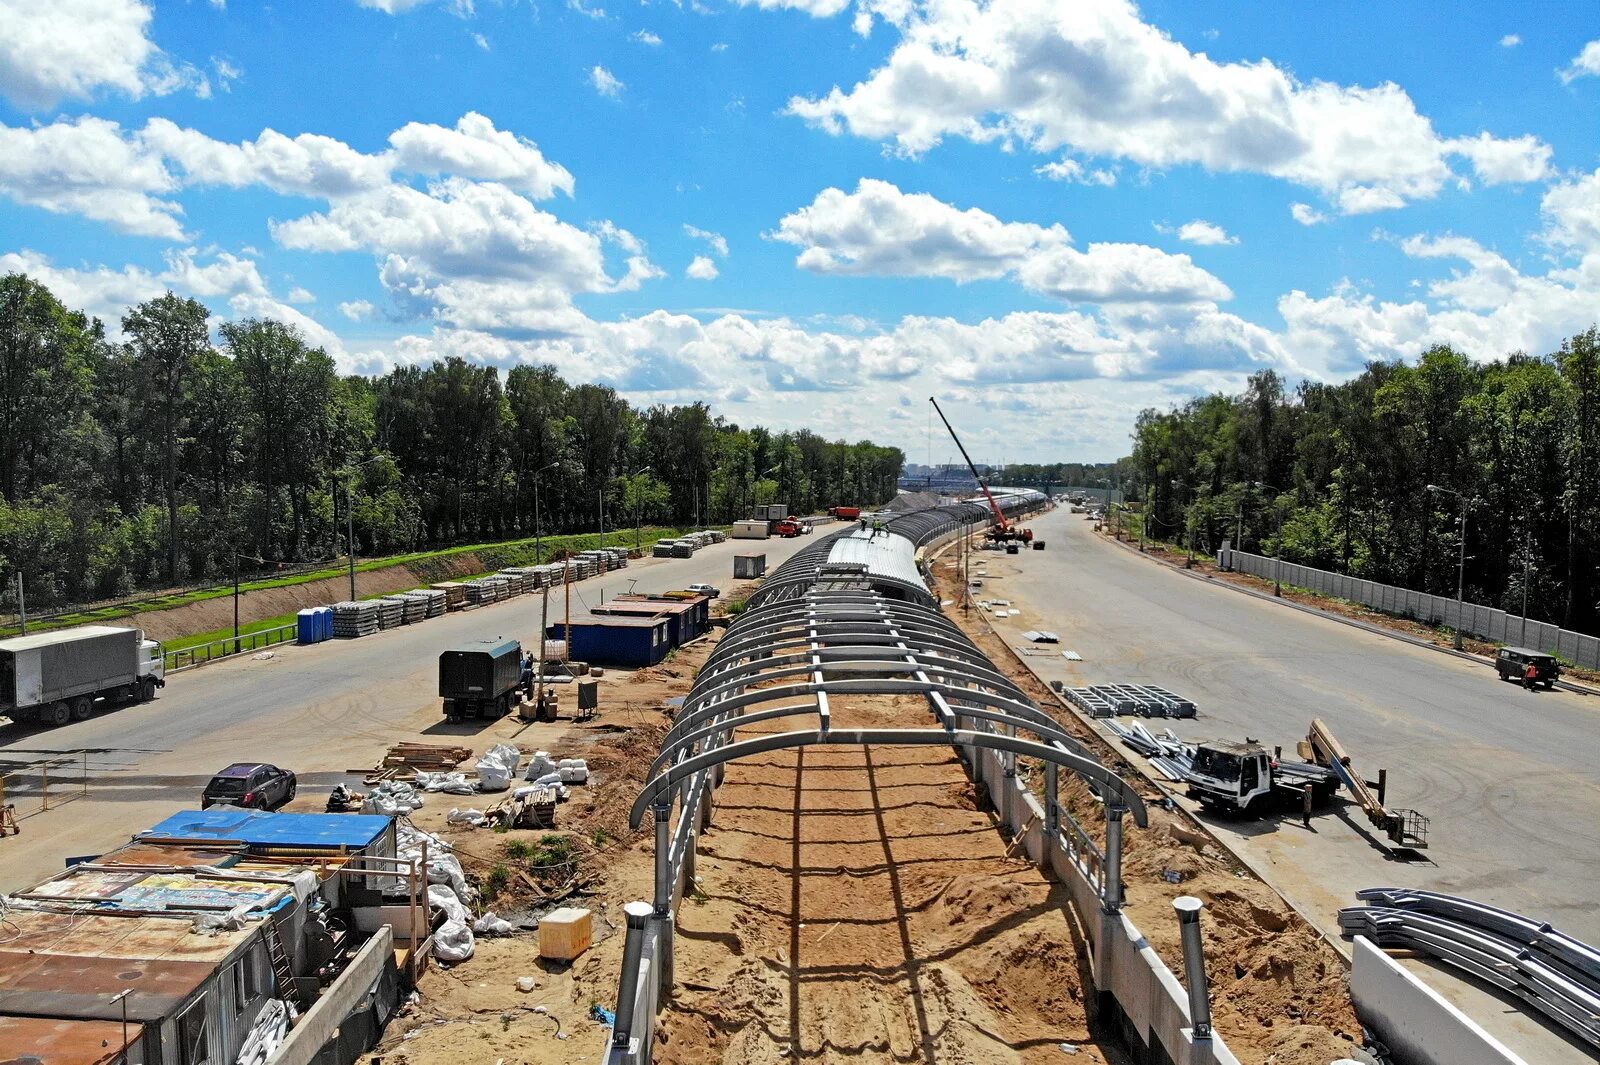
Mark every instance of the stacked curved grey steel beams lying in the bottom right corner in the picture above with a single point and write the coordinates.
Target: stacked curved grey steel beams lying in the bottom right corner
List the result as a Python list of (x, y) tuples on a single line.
[(1551, 971)]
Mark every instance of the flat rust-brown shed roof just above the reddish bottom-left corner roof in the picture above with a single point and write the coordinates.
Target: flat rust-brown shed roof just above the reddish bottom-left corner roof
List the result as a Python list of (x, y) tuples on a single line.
[(66, 986)]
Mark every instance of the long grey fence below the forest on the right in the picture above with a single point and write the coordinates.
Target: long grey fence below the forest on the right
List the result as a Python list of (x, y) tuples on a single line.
[(1434, 610)]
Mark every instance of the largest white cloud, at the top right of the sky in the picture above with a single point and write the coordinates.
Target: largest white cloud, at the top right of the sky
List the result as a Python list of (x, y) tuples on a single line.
[(1095, 78)]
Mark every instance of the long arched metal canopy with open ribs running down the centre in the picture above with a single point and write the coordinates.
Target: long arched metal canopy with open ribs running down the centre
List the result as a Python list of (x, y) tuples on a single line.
[(842, 628)]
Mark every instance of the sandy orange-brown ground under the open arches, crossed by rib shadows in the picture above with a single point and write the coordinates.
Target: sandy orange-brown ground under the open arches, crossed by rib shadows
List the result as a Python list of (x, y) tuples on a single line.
[(857, 904)]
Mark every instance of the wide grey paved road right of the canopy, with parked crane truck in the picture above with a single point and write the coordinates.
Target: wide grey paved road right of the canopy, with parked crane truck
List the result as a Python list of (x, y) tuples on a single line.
[(1510, 778)]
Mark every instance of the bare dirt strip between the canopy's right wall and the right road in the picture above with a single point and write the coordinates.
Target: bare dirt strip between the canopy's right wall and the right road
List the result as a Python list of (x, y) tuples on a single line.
[(1279, 992)]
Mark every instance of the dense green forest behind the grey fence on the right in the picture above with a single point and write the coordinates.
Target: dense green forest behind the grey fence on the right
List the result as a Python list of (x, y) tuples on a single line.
[(1338, 476)]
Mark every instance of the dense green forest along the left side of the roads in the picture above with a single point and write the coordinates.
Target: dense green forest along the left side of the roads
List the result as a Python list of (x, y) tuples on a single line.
[(156, 460)]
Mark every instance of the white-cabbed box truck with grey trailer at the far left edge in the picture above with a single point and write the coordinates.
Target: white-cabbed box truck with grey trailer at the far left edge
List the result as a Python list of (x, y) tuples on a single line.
[(58, 677)]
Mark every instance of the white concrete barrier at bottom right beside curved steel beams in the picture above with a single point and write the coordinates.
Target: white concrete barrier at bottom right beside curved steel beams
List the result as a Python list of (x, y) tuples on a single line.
[(1414, 1019)]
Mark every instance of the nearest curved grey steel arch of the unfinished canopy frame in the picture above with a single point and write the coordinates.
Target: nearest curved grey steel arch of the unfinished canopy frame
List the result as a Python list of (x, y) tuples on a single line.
[(665, 784)]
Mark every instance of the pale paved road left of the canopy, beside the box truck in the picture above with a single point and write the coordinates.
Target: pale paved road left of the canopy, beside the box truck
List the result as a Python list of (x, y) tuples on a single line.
[(318, 711)]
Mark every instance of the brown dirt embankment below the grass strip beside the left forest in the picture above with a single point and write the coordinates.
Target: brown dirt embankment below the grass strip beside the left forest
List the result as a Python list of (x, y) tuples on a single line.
[(214, 615)]
